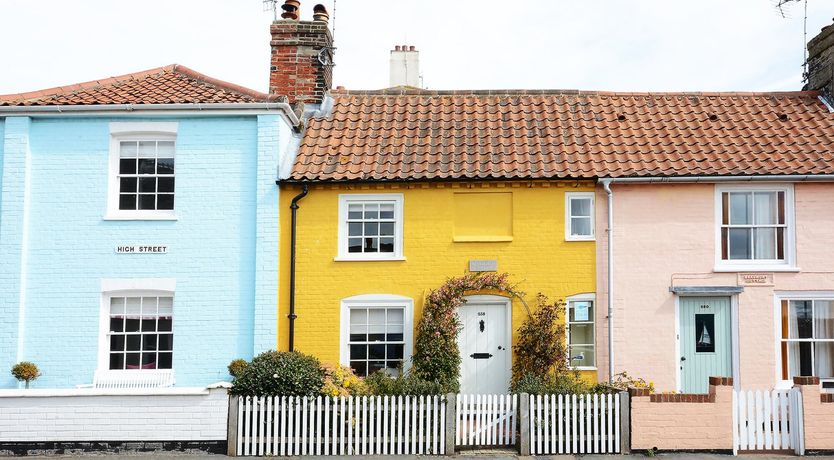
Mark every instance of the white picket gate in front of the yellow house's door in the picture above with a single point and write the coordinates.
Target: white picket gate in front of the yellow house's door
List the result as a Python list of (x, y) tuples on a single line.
[(485, 420)]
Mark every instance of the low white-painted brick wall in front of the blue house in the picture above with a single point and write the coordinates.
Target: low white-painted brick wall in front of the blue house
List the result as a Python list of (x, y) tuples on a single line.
[(112, 415)]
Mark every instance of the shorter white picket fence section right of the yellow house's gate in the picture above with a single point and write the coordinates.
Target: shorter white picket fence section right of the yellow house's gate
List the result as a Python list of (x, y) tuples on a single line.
[(574, 424)]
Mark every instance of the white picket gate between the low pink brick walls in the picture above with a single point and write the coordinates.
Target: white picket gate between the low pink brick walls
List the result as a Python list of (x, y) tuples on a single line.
[(768, 420)]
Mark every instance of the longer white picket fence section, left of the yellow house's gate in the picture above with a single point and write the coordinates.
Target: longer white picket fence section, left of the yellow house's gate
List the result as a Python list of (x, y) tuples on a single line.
[(355, 425)]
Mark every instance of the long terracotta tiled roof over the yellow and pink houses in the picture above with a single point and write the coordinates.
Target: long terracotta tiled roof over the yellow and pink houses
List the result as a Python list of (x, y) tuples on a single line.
[(419, 135)]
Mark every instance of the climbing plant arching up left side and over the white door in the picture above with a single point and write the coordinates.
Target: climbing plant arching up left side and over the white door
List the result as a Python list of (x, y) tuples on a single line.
[(436, 354)]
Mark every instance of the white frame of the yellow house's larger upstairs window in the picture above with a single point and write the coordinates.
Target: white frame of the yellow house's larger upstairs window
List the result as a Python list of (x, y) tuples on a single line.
[(352, 198)]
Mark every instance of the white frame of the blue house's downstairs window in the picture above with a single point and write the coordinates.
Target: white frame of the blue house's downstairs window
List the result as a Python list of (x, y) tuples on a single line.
[(136, 287)]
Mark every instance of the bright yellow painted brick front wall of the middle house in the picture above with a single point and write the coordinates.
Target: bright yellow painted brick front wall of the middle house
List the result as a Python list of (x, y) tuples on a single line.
[(538, 257)]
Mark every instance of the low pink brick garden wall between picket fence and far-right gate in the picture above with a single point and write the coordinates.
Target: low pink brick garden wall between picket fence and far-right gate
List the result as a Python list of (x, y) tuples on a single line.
[(684, 422)]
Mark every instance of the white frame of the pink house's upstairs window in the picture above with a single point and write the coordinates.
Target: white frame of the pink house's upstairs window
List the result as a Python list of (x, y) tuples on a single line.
[(753, 265)]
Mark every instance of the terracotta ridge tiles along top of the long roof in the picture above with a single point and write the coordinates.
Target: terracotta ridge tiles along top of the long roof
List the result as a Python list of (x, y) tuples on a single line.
[(411, 91)]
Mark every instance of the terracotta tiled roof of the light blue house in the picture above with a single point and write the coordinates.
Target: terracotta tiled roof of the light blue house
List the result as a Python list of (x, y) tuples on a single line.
[(173, 84)]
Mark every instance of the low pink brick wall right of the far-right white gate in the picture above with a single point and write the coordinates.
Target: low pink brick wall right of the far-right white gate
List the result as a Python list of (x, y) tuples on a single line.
[(818, 411)]
